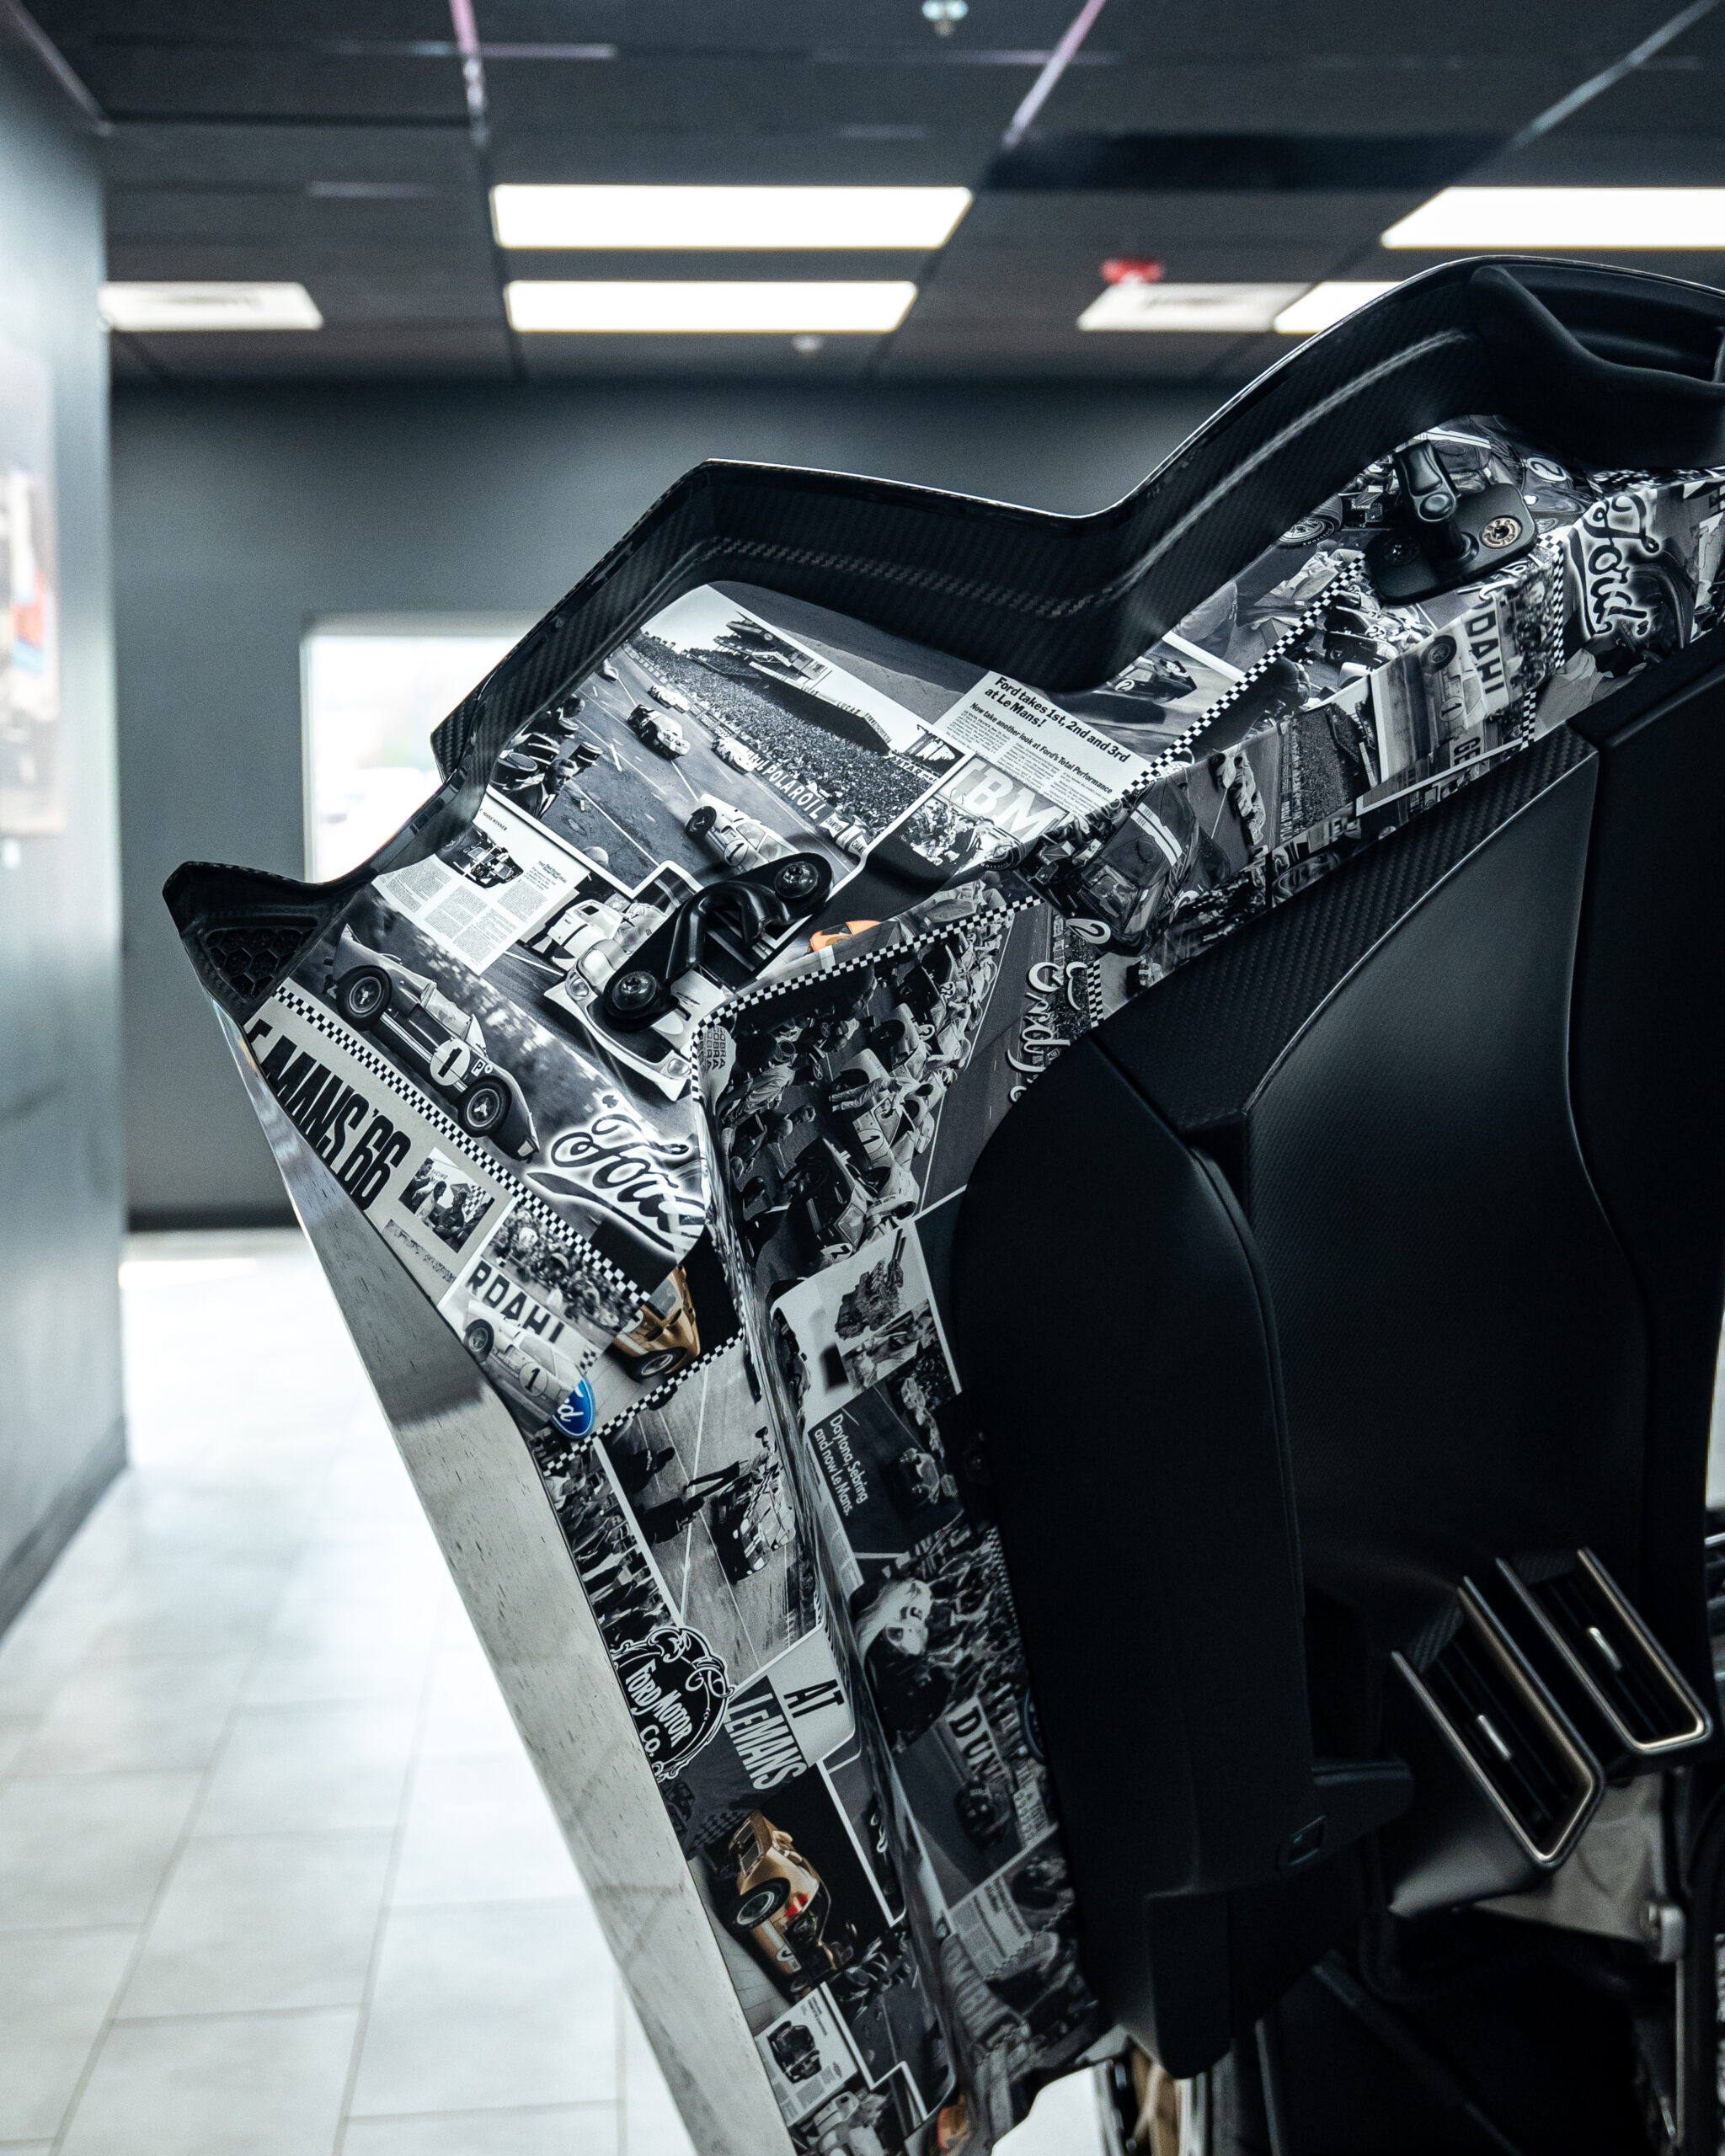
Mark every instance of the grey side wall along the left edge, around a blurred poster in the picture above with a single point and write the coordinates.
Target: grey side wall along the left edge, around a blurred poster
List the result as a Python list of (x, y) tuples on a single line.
[(61, 1174)]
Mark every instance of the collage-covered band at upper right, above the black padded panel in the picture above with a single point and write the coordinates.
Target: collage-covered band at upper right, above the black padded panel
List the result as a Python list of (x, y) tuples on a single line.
[(1349, 715)]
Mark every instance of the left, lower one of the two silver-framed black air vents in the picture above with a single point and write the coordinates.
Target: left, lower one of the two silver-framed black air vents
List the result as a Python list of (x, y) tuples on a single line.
[(1508, 1732)]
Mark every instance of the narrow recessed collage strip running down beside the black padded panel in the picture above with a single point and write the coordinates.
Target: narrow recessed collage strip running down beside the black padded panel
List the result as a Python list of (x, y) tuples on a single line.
[(846, 1111)]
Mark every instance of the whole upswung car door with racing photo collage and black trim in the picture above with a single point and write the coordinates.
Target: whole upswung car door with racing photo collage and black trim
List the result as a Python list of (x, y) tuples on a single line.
[(1368, 1252)]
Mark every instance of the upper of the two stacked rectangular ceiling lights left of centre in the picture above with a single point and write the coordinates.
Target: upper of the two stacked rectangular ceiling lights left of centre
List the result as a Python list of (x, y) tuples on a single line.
[(743, 219)]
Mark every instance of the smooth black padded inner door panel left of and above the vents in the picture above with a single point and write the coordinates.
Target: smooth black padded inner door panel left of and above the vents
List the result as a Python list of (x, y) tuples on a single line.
[(1463, 1101)]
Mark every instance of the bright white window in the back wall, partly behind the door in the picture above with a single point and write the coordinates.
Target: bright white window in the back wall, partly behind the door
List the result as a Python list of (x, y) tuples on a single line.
[(374, 689)]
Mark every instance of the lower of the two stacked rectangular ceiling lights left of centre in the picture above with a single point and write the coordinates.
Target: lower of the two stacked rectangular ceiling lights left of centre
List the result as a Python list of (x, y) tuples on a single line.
[(708, 309)]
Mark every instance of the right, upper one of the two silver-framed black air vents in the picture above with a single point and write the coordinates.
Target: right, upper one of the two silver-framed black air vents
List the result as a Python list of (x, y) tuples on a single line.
[(1614, 1657)]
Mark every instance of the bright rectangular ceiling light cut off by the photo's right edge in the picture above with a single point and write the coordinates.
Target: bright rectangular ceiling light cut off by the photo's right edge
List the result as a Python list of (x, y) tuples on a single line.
[(1605, 221)]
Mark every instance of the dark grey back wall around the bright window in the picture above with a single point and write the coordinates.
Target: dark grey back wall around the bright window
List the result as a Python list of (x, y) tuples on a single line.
[(243, 512)]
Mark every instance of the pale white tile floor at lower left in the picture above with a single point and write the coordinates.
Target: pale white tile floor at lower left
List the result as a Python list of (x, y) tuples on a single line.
[(275, 1872)]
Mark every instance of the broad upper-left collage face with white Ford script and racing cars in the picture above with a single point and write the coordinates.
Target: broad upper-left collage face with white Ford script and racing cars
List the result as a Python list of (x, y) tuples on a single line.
[(717, 794)]
